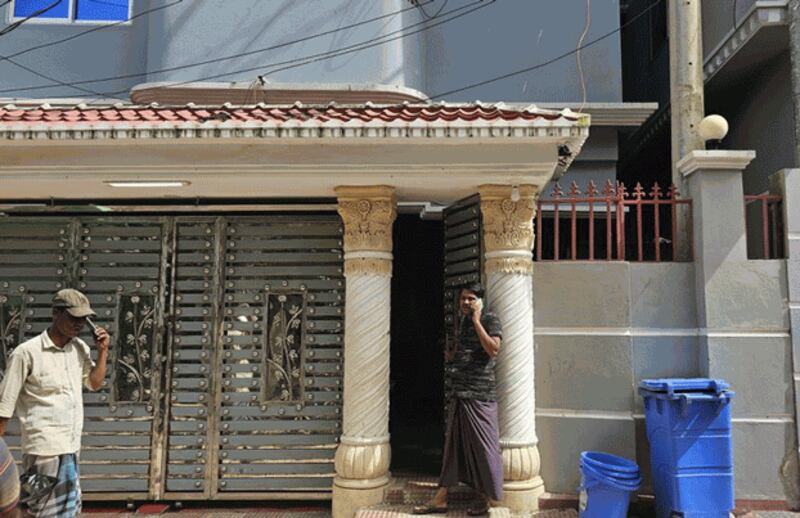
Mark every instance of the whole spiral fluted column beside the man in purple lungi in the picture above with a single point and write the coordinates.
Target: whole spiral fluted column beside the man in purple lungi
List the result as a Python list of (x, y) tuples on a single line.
[(508, 241)]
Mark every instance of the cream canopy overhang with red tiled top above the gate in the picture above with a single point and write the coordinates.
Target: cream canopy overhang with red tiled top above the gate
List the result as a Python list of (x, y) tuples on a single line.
[(428, 152)]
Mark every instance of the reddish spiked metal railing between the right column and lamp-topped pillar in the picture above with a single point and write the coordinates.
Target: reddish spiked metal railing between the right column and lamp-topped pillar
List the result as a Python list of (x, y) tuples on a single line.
[(611, 224)]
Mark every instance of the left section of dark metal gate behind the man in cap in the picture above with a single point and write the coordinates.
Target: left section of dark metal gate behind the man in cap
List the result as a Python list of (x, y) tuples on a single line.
[(120, 265)]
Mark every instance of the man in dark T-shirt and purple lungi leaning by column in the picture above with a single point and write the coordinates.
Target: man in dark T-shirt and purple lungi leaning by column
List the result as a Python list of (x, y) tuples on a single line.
[(472, 444)]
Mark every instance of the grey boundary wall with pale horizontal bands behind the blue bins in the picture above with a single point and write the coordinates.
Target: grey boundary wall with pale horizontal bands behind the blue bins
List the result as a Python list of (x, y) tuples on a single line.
[(603, 327)]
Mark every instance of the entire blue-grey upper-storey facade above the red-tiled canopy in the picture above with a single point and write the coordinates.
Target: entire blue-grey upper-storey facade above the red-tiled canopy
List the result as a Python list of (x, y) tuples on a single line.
[(497, 39)]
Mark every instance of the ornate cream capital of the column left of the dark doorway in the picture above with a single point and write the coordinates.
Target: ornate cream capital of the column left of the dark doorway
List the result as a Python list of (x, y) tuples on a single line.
[(368, 213)]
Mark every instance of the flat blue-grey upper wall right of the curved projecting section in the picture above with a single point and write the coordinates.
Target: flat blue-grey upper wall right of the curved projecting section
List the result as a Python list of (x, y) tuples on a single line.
[(515, 34)]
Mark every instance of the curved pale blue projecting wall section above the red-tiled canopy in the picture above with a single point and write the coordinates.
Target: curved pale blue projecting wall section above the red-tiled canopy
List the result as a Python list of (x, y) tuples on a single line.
[(200, 30)]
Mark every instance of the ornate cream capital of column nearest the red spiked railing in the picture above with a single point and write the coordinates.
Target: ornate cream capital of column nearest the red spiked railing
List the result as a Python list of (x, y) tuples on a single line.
[(508, 228)]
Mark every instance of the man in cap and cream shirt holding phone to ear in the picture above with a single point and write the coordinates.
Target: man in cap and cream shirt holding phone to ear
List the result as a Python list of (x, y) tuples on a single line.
[(43, 384)]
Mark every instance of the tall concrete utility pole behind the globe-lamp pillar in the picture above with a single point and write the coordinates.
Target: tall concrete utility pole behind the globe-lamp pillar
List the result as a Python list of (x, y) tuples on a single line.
[(686, 97)]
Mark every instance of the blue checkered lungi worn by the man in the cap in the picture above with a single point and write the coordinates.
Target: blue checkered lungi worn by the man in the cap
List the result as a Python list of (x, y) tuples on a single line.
[(63, 497)]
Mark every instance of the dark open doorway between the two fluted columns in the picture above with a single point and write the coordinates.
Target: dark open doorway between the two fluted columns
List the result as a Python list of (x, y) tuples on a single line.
[(416, 400)]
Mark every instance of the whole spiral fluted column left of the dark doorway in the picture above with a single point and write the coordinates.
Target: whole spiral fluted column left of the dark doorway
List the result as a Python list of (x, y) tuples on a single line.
[(363, 456)]
